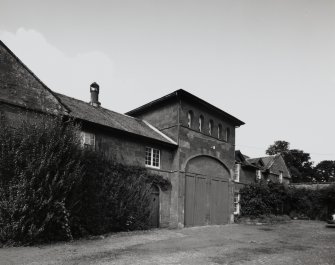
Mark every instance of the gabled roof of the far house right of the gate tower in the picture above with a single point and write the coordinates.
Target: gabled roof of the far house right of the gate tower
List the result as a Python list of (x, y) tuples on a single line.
[(274, 163)]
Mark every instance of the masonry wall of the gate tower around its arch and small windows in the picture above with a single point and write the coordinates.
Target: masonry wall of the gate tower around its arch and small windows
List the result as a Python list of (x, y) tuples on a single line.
[(171, 118)]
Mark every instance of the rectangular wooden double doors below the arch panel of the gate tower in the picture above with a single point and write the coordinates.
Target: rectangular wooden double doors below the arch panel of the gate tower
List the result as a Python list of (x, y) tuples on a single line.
[(206, 200)]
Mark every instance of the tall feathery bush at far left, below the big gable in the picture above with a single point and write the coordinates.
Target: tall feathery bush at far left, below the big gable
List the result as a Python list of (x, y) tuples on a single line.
[(39, 165)]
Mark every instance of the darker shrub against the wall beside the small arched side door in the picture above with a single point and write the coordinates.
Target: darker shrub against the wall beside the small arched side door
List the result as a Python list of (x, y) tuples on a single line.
[(114, 197)]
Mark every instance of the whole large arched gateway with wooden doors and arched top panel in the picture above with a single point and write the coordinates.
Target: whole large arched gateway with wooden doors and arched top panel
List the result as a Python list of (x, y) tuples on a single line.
[(206, 192)]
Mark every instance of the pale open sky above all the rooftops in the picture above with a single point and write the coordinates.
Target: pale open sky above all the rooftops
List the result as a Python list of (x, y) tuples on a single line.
[(270, 63)]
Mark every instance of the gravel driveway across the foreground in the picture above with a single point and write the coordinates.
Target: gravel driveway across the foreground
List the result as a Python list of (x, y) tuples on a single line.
[(298, 242)]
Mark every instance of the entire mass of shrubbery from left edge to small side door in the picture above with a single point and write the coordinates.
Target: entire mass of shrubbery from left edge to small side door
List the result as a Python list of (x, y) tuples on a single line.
[(51, 189)]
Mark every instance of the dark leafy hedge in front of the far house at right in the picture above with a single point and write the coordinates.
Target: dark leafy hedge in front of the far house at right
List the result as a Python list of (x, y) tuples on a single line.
[(277, 199)]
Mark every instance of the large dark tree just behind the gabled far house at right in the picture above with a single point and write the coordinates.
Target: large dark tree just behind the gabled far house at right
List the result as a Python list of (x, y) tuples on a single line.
[(298, 162)]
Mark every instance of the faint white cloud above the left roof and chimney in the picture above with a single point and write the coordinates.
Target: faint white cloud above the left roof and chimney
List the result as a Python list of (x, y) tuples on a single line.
[(70, 75)]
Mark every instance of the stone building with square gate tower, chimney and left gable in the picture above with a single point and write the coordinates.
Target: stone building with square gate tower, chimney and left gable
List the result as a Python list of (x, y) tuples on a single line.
[(179, 136)]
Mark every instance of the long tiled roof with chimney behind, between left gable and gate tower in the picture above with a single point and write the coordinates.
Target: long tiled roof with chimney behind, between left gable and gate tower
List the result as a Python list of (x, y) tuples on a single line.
[(98, 115)]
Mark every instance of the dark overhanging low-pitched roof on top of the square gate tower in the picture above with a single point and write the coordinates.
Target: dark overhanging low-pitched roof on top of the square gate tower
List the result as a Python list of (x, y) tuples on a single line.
[(182, 94)]
